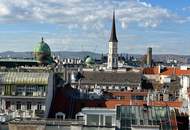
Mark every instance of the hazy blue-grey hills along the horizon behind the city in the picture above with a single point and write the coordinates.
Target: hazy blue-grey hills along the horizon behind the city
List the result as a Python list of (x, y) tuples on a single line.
[(81, 54)]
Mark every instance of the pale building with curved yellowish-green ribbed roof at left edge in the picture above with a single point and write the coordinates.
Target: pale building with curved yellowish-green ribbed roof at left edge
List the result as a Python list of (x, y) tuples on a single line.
[(23, 94)]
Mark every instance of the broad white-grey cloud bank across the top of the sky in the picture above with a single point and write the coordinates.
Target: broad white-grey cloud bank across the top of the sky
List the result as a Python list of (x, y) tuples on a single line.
[(84, 13)]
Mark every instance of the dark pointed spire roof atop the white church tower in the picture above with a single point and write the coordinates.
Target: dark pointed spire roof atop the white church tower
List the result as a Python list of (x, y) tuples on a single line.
[(113, 37)]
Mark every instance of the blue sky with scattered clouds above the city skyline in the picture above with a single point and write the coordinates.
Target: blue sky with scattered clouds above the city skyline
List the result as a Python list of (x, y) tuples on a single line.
[(84, 25)]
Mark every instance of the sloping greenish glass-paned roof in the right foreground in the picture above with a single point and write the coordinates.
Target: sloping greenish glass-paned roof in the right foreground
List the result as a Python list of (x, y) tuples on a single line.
[(153, 116)]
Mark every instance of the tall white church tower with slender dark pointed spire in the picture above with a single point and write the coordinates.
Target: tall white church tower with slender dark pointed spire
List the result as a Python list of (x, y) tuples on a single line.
[(113, 43)]
